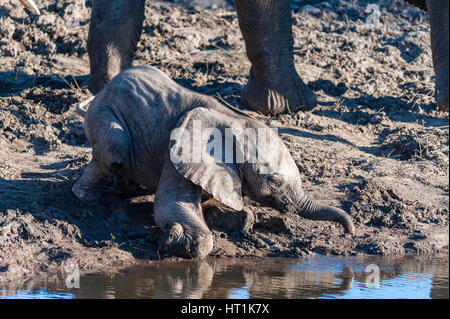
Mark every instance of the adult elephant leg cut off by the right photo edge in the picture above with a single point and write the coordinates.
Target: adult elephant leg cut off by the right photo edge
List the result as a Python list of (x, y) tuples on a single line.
[(438, 12)]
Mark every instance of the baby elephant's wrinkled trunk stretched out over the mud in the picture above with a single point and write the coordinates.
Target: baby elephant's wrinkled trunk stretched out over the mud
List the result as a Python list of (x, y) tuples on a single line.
[(310, 209)]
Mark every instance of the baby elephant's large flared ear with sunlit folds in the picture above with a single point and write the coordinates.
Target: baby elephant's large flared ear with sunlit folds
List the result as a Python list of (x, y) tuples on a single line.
[(202, 151)]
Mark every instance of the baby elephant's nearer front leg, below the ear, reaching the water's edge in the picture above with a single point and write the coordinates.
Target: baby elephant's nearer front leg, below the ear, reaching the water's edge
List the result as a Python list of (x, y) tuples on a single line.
[(177, 209)]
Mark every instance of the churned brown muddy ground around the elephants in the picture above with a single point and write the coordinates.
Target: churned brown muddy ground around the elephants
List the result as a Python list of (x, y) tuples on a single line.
[(375, 146)]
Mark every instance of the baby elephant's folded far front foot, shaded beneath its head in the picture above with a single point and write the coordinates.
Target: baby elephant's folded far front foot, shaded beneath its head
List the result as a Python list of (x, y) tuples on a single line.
[(230, 221)]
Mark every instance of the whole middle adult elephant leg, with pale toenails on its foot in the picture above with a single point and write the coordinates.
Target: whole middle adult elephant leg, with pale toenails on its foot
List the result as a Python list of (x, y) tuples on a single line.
[(274, 86)]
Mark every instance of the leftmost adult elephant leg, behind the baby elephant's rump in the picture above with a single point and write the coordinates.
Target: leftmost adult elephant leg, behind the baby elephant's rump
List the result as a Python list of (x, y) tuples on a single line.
[(115, 29)]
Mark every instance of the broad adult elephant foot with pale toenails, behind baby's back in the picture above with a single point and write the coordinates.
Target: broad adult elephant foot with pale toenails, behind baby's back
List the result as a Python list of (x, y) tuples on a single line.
[(276, 96)]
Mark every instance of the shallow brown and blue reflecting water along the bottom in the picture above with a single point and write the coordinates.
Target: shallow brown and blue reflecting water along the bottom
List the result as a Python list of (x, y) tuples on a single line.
[(316, 277)]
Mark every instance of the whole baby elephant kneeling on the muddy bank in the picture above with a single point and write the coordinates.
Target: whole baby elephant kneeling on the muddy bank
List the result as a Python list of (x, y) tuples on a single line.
[(146, 128)]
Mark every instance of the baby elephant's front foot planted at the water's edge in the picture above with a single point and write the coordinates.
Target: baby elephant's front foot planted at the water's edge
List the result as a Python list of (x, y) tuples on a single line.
[(187, 242)]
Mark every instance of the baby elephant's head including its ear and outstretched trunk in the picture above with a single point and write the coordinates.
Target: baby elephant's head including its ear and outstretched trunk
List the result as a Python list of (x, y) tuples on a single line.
[(228, 154)]
